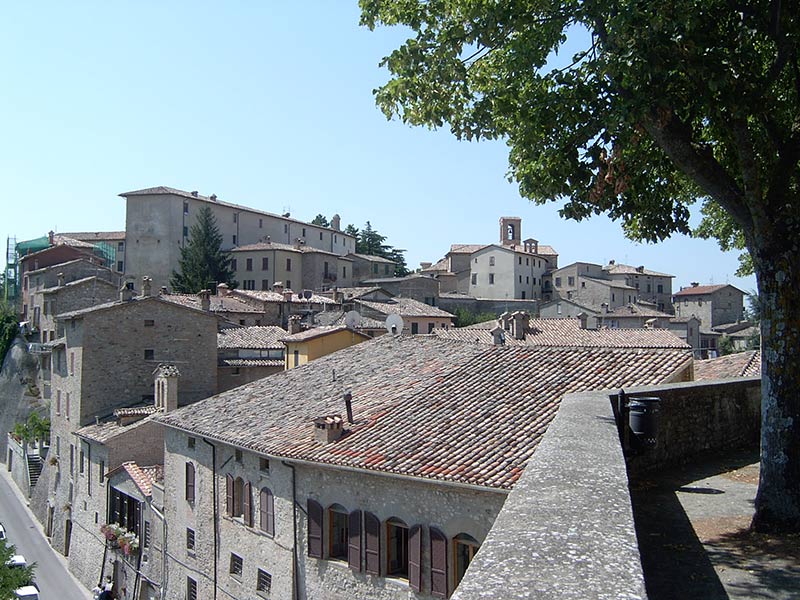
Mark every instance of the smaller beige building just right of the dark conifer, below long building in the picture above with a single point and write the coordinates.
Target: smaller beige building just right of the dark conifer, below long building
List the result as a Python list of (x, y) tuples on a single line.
[(298, 266)]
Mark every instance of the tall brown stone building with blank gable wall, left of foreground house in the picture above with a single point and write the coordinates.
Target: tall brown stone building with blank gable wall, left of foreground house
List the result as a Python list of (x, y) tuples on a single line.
[(104, 362)]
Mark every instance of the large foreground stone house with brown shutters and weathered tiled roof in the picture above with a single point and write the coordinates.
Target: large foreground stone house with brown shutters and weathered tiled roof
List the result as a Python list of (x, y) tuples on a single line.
[(341, 480)]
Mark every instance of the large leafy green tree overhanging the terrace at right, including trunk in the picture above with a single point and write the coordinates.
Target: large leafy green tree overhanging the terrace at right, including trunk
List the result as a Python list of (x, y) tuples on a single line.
[(667, 104)]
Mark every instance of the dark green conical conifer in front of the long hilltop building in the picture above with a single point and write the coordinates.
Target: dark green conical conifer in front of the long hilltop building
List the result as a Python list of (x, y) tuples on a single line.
[(203, 263)]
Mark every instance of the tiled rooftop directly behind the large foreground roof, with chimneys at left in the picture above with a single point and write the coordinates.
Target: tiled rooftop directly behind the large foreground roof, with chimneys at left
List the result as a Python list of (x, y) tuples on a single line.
[(568, 333)]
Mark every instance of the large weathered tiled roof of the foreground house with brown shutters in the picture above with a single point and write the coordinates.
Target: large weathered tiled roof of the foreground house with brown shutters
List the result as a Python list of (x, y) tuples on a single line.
[(423, 406)]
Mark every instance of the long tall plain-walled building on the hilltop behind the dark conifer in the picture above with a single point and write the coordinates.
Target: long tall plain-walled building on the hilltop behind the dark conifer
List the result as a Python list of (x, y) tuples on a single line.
[(158, 221)]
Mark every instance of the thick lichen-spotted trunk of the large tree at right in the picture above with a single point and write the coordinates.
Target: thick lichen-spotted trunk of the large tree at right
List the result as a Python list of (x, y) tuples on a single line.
[(778, 272)]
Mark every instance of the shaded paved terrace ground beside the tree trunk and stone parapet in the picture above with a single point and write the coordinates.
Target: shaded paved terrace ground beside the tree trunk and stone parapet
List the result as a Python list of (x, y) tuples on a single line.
[(692, 525)]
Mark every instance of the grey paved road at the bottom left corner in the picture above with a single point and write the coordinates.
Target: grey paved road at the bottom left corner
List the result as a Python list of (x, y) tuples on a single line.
[(25, 532)]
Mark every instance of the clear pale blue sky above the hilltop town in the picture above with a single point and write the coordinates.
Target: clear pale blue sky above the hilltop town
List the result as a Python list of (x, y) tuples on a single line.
[(266, 104)]
